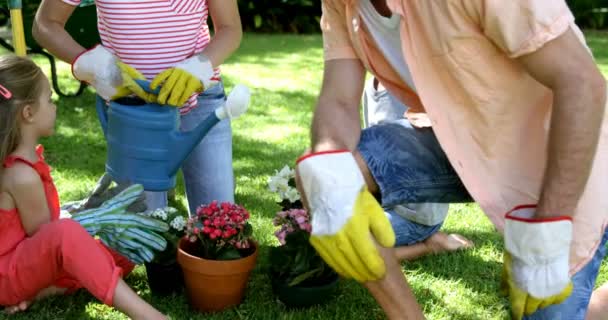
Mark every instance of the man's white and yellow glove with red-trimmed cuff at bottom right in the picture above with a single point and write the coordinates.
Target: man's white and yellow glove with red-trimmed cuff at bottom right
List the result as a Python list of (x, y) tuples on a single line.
[(536, 269)]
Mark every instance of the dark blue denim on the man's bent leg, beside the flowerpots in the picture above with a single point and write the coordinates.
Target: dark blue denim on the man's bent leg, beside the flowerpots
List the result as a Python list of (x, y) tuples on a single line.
[(409, 167)]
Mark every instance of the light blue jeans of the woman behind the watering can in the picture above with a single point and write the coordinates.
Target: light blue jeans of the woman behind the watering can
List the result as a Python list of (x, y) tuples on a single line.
[(208, 173)]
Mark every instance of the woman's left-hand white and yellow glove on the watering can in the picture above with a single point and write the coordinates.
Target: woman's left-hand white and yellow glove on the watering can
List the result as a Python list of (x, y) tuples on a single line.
[(108, 75)]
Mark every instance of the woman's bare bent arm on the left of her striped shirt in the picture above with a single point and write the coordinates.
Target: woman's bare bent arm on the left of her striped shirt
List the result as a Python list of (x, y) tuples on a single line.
[(49, 30)]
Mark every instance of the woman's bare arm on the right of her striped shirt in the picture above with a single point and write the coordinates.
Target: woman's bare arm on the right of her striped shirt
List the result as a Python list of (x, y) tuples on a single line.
[(228, 30)]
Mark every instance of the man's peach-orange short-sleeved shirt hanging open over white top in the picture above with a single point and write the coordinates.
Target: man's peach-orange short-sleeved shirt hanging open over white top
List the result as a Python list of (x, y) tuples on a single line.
[(490, 116)]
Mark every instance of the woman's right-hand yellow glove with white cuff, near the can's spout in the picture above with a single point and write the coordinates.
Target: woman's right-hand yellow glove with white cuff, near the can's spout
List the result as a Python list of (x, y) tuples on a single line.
[(190, 76)]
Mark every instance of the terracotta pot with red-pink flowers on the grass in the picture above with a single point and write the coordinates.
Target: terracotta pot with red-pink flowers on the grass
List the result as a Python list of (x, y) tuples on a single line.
[(217, 256)]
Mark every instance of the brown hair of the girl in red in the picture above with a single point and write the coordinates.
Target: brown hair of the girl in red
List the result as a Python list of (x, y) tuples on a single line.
[(23, 81)]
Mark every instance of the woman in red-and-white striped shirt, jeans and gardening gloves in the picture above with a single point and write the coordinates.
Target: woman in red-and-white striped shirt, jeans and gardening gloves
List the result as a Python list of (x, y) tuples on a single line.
[(169, 43)]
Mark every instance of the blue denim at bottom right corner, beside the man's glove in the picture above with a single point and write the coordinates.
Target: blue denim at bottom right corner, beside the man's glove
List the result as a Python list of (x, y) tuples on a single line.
[(575, 307)]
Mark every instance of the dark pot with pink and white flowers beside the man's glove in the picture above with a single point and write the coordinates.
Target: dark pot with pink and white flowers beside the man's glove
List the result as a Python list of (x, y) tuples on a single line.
[(300, 277)]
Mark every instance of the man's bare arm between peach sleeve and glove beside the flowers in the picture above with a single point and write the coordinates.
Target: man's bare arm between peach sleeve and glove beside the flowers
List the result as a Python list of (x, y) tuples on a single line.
[(336, 123)]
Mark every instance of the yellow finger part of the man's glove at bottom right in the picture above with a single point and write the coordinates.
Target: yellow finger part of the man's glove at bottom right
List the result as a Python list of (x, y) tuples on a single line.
[(522, 303)]
